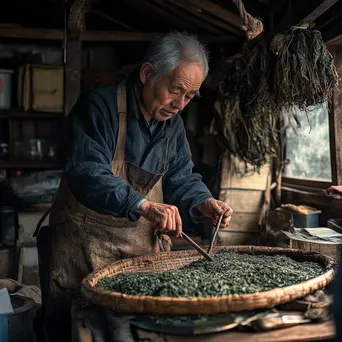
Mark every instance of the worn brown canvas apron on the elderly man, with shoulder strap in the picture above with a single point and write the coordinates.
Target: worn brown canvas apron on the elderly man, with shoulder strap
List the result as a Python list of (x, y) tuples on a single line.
[(79, 240)]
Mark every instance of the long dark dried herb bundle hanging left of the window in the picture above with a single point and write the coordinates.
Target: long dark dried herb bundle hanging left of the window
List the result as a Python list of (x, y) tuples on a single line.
[(246, 108)]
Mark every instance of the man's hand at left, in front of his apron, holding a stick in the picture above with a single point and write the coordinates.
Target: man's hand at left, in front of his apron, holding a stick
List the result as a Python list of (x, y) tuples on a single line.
[(166, 217)]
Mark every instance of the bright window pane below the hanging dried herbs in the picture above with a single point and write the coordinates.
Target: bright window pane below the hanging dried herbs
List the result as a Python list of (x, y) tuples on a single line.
[(307, 147)]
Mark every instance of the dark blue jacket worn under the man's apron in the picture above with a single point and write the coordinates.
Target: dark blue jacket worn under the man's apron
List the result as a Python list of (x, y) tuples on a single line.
[(90, 145)]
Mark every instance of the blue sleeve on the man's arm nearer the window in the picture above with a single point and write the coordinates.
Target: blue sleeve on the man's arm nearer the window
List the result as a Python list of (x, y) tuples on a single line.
[(181, 187)]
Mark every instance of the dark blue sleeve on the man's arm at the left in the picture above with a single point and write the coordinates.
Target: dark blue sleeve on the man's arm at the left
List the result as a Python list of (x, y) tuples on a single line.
[(87, 160)]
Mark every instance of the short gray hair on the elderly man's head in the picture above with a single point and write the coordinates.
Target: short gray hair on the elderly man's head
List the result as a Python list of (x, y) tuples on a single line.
[(169, 51)]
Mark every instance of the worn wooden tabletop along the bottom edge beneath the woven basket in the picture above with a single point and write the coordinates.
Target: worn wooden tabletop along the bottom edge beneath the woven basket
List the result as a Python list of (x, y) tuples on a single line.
[(300, 333)]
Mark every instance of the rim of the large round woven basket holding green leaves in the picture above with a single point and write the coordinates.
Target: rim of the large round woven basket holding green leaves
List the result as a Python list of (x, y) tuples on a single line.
[(89, 282)]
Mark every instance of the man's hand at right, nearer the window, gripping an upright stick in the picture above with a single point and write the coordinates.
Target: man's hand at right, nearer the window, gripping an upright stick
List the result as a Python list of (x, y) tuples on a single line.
[(213, 209)]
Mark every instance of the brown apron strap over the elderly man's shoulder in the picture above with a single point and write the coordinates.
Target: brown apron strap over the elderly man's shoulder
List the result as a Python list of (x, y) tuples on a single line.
[(119, 154)]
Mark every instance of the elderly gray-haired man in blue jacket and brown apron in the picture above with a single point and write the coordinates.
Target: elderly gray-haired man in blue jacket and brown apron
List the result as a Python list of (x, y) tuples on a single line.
[(127, 172)]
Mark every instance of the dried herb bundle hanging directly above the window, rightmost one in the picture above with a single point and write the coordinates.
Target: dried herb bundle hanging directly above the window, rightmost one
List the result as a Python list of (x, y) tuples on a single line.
[(304, 72)]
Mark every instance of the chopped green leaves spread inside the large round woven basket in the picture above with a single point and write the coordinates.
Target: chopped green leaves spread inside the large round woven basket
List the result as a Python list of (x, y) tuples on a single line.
[(230, 273)]
